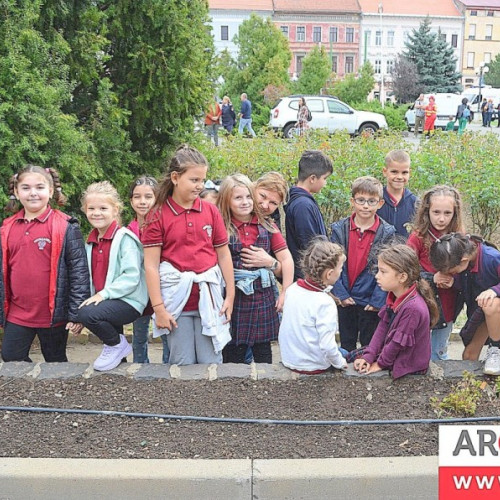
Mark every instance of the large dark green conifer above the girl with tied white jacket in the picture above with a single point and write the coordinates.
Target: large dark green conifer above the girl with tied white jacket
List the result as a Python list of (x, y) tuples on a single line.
[(153, 58)]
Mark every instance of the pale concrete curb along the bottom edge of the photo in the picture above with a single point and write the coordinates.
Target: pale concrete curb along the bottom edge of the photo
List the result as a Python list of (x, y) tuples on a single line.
[(385, 478)]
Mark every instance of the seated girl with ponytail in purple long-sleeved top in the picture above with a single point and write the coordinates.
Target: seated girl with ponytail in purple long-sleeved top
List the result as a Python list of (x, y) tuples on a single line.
[(402, 342)]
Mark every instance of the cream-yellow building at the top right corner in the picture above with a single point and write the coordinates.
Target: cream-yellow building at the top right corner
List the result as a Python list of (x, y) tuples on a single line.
[(481, 37)]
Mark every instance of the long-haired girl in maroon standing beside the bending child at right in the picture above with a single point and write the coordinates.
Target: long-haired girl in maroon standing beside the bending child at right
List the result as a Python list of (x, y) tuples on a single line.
[(440, 212)]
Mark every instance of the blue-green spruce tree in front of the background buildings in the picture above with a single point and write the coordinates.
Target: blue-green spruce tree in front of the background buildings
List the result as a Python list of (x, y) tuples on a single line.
[(434, 59)]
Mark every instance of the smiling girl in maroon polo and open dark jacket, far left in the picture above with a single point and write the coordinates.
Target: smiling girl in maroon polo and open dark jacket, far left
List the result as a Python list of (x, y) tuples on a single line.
[(44, 275)]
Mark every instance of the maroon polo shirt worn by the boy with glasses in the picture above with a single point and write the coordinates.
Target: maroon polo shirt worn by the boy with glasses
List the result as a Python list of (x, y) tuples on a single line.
[(358, 249)]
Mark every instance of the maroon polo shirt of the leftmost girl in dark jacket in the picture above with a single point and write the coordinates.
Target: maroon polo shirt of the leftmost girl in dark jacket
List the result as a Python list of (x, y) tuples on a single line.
[(30, 246)]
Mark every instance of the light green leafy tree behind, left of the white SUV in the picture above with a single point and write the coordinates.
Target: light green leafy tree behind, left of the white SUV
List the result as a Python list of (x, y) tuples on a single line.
[(263, 59)]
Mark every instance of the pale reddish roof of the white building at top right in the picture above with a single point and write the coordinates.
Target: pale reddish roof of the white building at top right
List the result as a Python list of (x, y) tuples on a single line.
[(415, 7)]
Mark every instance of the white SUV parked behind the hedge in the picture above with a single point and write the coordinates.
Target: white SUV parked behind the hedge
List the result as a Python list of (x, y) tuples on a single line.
[(327, 112)]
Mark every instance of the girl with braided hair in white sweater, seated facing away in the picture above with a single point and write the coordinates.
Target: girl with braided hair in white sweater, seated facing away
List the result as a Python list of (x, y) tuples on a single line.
[(309, 324)]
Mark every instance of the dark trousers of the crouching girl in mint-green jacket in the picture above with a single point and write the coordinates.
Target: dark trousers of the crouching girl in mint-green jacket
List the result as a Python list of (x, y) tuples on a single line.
[(107, 318)]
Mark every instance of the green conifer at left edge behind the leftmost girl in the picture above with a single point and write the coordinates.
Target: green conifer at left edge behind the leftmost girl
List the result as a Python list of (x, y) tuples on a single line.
[(34, 87)]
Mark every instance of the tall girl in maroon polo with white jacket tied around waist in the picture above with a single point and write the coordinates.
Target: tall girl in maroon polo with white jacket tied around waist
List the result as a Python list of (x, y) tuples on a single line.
[(187, 261)]
